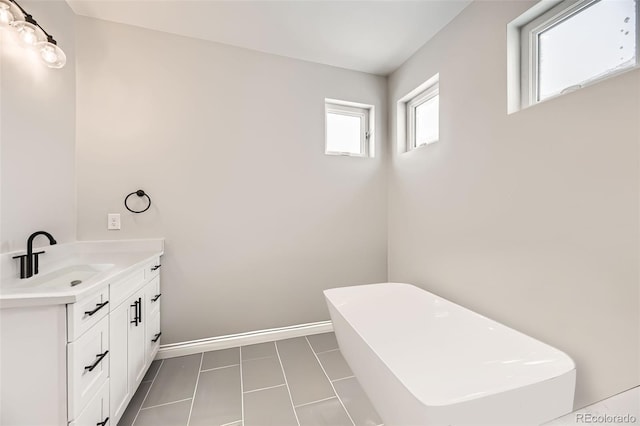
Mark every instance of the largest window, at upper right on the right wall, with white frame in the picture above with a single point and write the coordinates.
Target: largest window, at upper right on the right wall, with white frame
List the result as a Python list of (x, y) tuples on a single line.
[(574, 44)]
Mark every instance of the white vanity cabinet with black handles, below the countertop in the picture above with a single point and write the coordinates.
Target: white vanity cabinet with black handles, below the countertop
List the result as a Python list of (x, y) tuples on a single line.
[(80, 364)]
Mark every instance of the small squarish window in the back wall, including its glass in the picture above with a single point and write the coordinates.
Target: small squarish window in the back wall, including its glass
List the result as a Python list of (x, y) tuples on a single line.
[(348, 128)]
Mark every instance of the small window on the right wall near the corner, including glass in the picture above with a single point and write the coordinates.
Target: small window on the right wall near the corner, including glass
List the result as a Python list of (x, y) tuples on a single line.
[(418, 116)]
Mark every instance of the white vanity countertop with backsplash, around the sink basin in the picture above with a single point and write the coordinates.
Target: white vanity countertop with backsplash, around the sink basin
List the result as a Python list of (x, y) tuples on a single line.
[(125, 255)]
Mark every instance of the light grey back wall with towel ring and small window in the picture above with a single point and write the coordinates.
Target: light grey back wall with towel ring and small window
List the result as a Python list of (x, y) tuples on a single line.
[(229, 143)]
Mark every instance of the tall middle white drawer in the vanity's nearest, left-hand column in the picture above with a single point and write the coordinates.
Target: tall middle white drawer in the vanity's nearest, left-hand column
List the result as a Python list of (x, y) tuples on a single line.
[(87, 366)]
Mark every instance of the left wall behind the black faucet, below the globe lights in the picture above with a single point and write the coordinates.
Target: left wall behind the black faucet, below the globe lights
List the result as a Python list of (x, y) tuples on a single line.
[(37, 133)]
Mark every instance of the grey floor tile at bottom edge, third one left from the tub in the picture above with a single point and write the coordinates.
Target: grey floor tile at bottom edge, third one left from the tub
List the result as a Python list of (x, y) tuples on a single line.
[(269, 407)]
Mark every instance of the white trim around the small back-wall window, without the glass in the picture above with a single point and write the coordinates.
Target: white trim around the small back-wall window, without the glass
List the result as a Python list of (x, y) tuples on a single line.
[(366, 115)]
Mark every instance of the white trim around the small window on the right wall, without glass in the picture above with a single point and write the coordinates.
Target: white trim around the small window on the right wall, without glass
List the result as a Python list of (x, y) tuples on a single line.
[(405, 113)]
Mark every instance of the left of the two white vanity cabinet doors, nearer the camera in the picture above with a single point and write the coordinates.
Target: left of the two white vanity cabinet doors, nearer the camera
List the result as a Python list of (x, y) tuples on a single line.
[(119, 340)]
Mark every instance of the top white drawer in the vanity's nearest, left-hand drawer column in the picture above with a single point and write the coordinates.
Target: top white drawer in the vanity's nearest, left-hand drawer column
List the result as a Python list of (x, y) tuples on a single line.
[(84, 314)]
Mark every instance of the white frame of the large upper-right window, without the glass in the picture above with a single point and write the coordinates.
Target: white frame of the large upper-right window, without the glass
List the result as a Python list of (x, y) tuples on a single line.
[(529, 46)]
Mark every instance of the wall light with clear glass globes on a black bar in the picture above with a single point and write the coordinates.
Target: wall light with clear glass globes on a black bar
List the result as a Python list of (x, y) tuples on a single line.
[(31, 33)]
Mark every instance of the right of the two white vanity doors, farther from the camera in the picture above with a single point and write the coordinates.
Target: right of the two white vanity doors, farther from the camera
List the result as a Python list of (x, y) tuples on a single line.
[(136, 340)]
